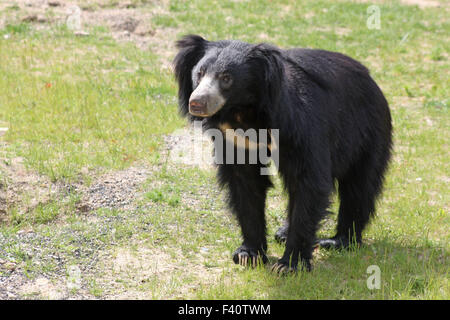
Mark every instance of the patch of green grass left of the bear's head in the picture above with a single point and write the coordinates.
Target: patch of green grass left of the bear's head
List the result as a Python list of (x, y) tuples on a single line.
[(72, 103)]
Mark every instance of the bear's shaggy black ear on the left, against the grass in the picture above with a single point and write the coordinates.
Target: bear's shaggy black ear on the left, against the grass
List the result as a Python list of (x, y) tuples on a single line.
[(191, 49)]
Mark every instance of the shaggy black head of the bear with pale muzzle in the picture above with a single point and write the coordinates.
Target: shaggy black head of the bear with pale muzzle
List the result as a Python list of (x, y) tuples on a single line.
[(216, 76)]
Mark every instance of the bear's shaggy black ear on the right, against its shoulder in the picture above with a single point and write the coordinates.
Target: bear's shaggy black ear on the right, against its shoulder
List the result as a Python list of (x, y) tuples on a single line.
[(268, 59)]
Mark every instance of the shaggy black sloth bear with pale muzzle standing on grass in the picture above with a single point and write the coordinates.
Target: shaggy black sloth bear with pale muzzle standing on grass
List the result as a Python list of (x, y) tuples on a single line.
[(333, 122)]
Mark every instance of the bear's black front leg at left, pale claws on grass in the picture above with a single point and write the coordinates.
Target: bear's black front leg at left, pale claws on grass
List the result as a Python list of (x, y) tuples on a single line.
[(247, 190)]
